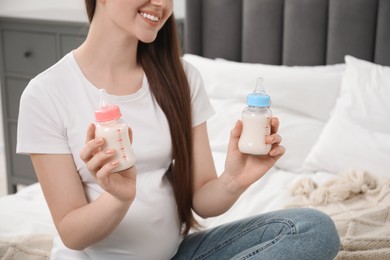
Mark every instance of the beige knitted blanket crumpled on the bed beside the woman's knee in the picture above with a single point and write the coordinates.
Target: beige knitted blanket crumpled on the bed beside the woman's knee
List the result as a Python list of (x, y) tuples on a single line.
[(359, 204)]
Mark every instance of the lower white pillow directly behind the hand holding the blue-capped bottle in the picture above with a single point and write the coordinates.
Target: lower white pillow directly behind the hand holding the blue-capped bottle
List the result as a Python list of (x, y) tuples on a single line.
[(299, 132)]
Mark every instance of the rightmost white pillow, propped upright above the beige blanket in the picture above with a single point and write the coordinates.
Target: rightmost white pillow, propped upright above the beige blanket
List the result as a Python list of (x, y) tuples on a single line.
[(357, 135)]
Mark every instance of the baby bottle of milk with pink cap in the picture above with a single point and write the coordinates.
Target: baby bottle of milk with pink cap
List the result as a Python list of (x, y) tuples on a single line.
[(110, 127)]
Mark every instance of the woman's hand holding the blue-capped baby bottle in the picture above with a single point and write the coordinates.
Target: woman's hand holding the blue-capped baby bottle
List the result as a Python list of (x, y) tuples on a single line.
[(244, 169)]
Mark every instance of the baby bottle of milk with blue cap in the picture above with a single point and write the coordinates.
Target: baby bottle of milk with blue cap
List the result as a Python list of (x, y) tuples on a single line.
[(256, 119)]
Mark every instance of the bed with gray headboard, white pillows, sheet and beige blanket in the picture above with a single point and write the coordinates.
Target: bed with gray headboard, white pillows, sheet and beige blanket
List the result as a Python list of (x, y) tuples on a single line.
[(325, 64)]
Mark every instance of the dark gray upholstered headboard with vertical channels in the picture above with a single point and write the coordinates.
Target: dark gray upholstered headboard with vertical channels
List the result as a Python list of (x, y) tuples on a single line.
[(289, 32)]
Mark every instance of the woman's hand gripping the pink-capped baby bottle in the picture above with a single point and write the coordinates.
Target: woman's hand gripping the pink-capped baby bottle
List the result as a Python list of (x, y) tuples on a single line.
[(100, 163)]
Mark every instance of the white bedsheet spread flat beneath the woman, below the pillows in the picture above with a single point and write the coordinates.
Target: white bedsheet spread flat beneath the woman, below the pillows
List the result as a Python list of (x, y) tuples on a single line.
[(26, 212)]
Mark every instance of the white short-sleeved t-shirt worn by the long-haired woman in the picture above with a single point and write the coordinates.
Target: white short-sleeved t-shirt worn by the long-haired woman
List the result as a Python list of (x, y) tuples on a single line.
[(56, 109)]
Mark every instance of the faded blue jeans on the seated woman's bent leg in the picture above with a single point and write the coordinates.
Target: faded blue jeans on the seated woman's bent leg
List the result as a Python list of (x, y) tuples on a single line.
[(285, 234)]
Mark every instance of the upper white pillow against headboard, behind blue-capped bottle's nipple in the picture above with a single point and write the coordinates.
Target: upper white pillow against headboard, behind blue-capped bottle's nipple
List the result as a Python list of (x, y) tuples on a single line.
[(311, 90)]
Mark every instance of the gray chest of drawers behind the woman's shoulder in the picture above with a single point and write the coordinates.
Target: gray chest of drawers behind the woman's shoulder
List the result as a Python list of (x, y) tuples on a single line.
[(27, 47)]
